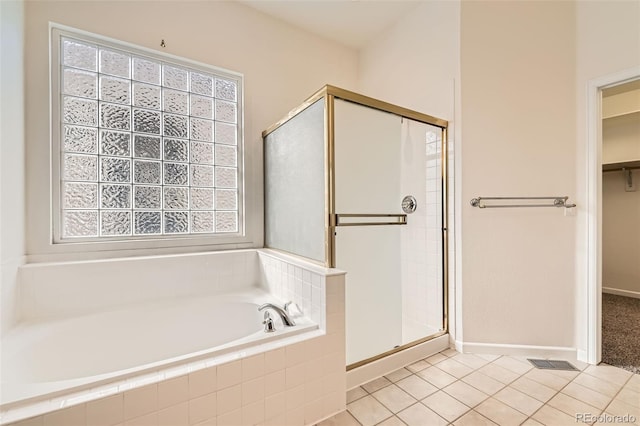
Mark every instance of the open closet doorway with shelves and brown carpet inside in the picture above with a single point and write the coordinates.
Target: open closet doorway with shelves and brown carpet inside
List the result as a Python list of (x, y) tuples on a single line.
[(620, 238)]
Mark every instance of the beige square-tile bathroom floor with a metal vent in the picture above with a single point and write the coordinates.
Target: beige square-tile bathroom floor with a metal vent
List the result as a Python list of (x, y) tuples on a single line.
[(450, 388)]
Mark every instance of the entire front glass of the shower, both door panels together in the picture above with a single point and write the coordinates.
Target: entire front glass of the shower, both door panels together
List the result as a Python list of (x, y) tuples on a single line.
[(394, 292)]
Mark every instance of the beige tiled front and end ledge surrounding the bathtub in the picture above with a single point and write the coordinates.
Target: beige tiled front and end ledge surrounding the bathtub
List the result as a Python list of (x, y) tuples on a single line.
[(299, 383)]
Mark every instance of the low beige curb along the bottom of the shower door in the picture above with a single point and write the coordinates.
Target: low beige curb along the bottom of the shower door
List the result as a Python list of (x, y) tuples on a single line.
[(373, 370)]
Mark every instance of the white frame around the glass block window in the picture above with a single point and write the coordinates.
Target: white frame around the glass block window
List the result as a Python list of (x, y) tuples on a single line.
[(241, 238)]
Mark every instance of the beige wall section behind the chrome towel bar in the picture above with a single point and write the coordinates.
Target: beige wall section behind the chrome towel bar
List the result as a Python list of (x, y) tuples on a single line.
[(518, 111)]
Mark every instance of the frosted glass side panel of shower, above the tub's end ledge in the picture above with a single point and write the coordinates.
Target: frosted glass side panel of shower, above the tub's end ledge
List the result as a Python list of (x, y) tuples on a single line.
[(295, 185)]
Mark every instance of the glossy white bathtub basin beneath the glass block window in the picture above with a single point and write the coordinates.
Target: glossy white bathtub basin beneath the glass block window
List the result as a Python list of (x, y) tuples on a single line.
[(42, 358)]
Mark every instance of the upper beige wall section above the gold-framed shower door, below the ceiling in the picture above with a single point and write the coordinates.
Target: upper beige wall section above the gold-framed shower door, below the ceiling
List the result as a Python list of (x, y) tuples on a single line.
[(415, 63)]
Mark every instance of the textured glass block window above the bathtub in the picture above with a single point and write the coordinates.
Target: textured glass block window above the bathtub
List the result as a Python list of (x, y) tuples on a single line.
[(147, 147)]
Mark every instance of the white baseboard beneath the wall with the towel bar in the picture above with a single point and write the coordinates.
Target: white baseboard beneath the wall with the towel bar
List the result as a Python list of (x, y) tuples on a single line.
[(566, 353)]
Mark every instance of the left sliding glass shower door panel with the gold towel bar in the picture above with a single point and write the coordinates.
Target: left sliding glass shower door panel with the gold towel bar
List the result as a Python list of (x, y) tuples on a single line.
[(367, 177)]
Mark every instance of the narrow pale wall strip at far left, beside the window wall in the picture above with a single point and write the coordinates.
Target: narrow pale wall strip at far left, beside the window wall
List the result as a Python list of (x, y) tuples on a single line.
[(12, 245)]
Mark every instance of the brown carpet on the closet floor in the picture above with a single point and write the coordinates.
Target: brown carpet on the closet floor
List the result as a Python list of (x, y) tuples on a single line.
[(621, 332)]
